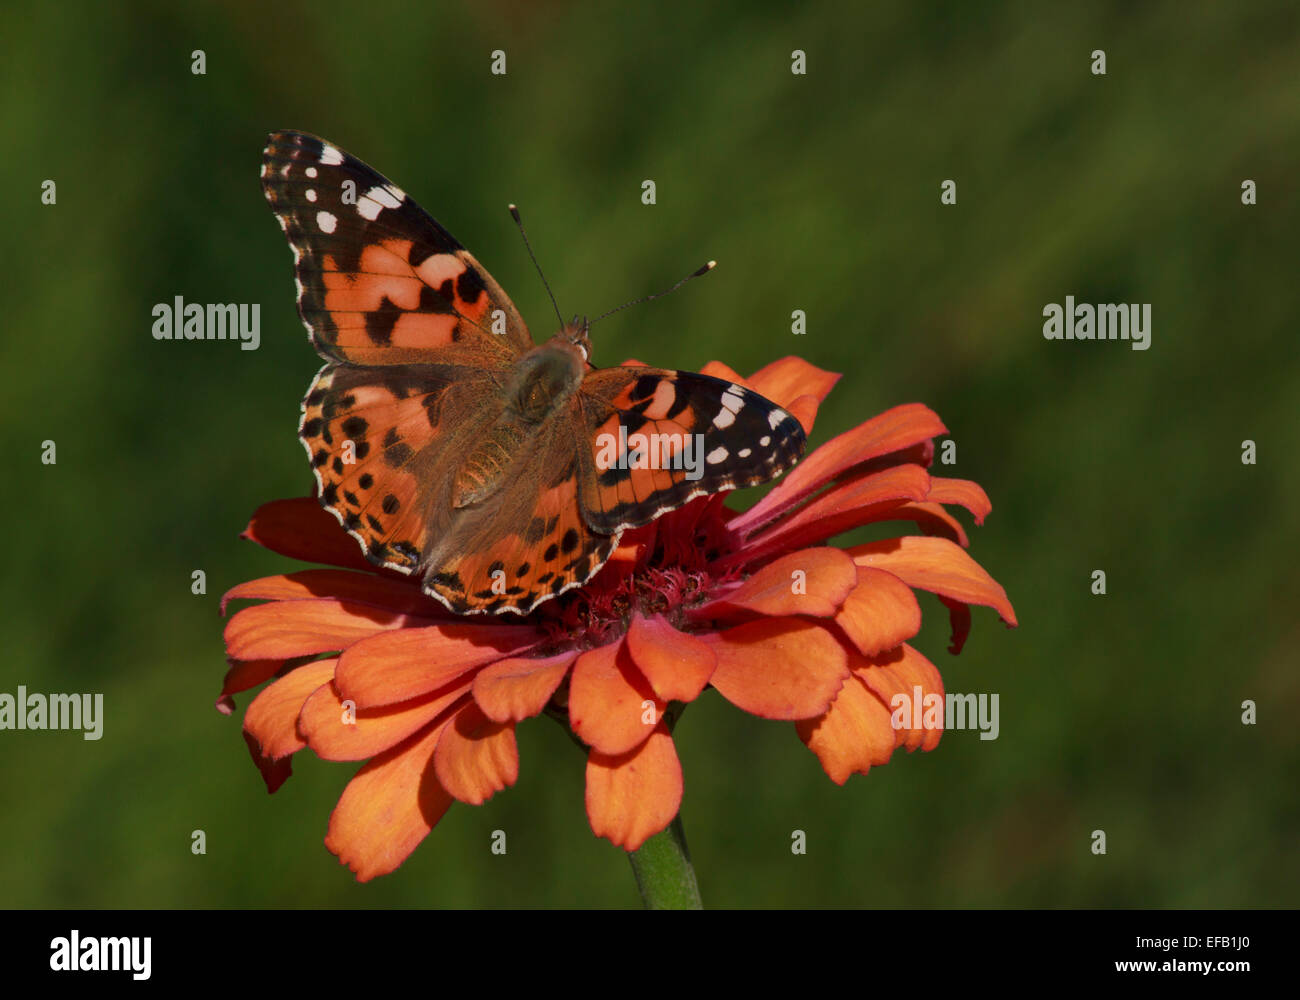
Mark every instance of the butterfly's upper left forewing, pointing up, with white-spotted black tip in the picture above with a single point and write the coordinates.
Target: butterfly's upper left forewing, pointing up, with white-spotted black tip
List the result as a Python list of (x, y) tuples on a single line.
[(380, 283)]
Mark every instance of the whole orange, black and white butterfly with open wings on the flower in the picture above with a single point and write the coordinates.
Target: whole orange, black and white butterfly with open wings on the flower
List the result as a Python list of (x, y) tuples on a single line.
[(449, 444)]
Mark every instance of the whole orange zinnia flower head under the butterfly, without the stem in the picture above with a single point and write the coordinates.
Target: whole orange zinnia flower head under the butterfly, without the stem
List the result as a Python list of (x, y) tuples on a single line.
[(755, 605)]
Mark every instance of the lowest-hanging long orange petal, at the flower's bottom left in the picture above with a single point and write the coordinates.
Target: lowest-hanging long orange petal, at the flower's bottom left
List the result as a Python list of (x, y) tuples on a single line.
[(388, 808)]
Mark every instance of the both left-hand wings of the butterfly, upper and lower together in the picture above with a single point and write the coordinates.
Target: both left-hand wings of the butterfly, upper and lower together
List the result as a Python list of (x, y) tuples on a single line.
[(415, 331)]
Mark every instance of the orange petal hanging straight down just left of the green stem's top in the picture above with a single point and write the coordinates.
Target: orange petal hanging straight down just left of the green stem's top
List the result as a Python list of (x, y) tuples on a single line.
[(632, 796)]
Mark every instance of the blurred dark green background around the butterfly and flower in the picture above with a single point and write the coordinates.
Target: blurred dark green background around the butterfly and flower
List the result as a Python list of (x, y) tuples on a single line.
[(818, 192)]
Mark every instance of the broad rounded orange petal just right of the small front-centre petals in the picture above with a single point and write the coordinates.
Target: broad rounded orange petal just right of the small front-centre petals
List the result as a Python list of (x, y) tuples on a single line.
[(779, 668)]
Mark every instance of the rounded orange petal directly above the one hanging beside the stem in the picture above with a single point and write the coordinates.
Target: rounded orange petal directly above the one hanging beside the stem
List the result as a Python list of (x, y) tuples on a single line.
[(613, 707)]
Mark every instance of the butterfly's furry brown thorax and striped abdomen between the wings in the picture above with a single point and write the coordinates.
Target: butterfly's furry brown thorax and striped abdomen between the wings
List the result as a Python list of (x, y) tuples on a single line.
[(536, 391)]
